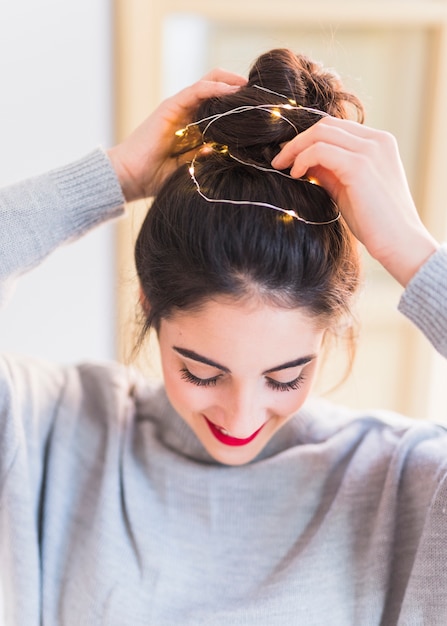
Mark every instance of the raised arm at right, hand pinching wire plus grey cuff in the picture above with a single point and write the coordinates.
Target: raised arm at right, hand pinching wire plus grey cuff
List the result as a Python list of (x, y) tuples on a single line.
[(362, 170)]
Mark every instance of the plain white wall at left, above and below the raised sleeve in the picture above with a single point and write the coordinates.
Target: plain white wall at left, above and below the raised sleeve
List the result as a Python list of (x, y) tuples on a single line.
[(55, 105)]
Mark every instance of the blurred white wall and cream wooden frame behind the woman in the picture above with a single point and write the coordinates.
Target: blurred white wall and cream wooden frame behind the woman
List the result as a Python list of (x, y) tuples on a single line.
[(76, 74)]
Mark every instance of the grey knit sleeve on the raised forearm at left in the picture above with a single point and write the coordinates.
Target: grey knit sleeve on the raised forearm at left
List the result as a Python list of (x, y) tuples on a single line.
[(41, 213)]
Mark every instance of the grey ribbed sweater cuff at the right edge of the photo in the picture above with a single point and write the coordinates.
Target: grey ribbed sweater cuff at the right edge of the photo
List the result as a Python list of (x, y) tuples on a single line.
[(424, 301)]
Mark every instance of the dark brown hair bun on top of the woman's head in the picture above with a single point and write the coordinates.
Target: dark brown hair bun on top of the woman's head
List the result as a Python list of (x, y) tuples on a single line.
[(257, 133)]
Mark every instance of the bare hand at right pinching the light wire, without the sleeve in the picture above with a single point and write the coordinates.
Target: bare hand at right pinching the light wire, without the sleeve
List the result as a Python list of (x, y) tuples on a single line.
[(362, 171)]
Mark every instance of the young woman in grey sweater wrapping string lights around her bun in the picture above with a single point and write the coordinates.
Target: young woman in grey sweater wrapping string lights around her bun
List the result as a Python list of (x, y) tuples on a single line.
[(227, 497)]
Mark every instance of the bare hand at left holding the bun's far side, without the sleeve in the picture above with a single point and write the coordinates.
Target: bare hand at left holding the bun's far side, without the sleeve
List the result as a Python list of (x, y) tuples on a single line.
[(144, 159)]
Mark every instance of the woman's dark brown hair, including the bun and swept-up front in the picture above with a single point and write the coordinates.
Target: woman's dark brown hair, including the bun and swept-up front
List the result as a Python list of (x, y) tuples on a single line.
[(189, 250)]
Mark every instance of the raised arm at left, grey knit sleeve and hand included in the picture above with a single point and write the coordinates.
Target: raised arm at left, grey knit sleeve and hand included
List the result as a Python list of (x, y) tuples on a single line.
[(41, 213)]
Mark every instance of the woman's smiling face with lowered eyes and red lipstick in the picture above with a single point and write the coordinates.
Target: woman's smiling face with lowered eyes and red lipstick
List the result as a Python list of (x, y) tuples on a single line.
[(236, 372)]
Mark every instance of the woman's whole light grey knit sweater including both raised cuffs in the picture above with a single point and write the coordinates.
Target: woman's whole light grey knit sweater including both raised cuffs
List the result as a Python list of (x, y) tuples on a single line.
[(111, 511)]
